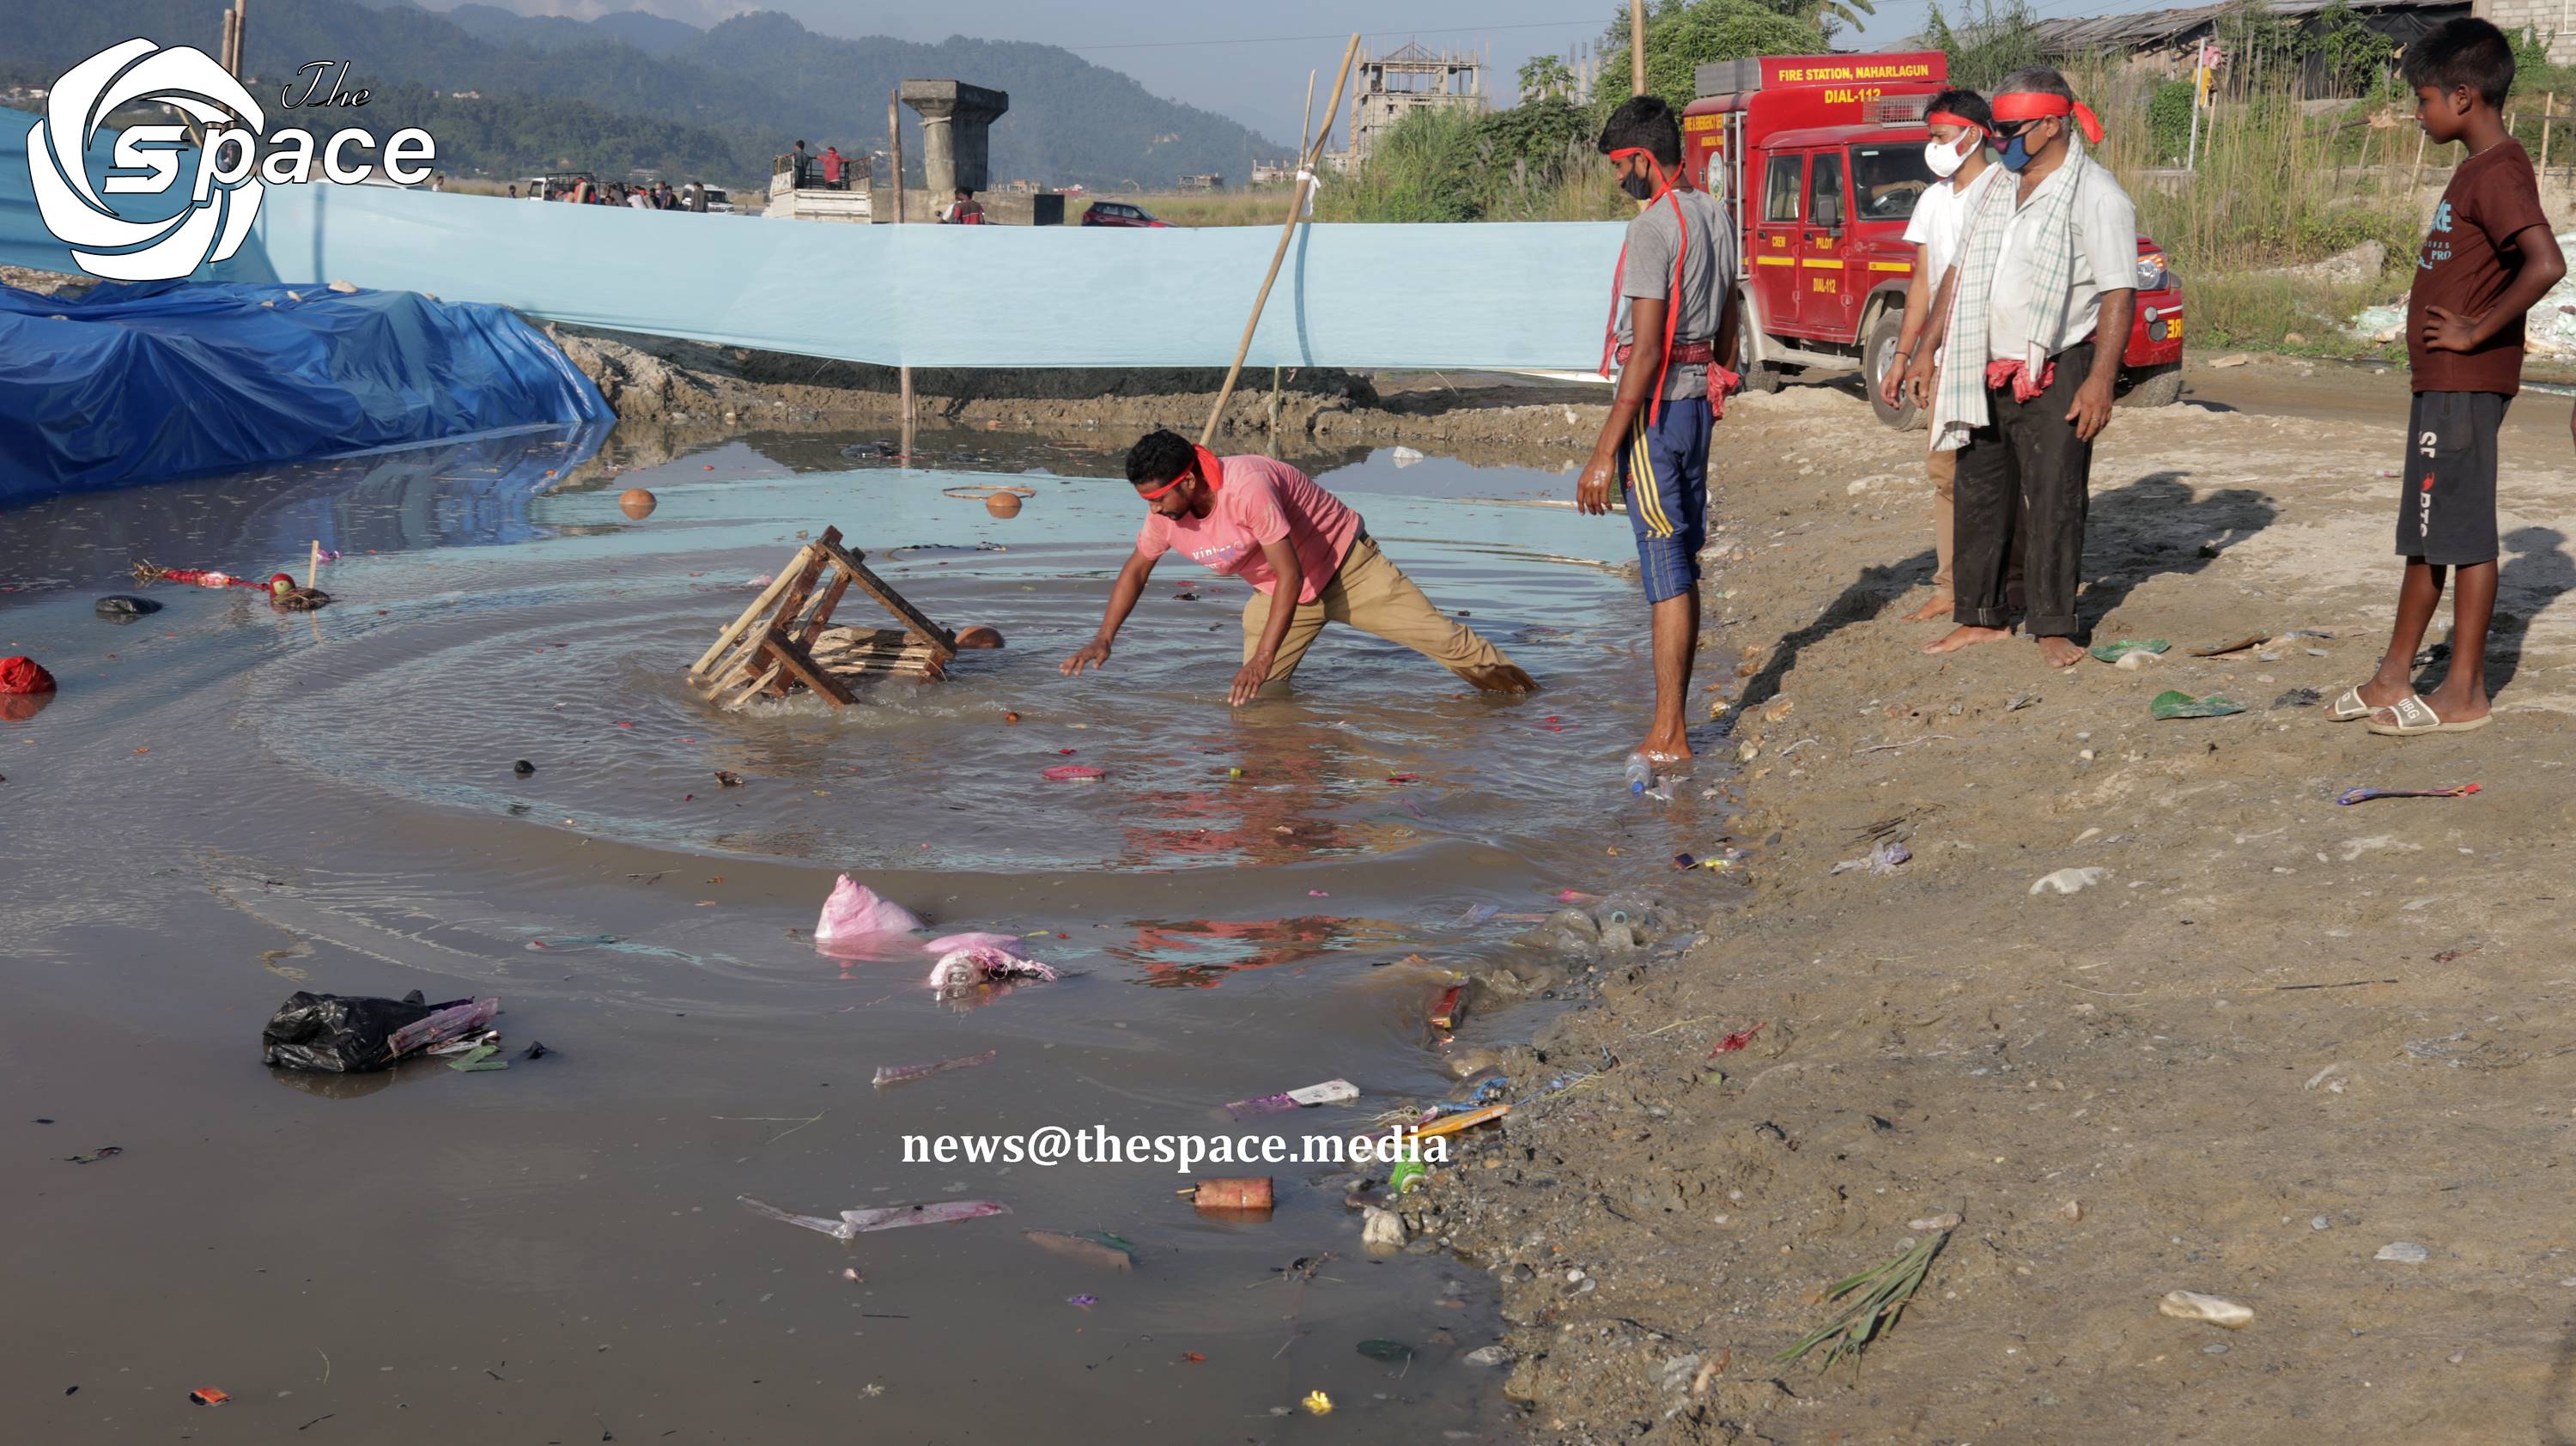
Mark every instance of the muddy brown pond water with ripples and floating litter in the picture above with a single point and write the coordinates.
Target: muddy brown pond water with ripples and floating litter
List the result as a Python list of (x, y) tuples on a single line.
[(228, 803)]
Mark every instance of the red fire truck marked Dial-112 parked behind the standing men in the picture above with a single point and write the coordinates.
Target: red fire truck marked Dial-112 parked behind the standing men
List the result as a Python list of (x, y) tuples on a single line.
[(1825, 159)]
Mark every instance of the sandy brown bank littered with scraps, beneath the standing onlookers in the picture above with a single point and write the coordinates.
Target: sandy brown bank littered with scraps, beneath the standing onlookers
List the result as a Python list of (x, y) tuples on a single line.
[(2271, 1043)]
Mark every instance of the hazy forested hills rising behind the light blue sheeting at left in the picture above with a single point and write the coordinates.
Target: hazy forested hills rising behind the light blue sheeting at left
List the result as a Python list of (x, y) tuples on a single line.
[(733, 97)]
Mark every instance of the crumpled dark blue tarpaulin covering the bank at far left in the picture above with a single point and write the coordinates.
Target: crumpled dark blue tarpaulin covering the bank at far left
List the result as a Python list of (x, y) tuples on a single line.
[(143, 383)]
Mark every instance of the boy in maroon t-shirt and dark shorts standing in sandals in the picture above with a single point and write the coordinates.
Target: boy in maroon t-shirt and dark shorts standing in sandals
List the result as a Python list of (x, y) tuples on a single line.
[(2487, 259)]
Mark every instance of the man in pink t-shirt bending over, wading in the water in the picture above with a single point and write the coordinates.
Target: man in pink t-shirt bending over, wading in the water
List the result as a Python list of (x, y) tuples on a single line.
[(1269, 525)]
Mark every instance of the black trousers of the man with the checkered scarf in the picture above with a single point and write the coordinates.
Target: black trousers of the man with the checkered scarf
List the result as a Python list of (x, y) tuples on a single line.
[(2026, 473)]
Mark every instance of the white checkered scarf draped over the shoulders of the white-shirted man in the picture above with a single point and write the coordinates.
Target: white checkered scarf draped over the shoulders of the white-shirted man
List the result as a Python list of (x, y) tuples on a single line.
[(1959, 406)]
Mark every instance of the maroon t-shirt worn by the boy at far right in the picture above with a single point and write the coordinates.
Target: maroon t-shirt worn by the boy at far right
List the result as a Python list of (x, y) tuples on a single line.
[(2464, 267)]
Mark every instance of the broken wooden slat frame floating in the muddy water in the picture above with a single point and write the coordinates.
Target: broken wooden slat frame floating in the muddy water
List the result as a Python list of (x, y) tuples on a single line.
[(787, 638)]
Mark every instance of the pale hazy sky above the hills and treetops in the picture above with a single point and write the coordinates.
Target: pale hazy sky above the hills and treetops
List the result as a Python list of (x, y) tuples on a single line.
[(1258, 68)]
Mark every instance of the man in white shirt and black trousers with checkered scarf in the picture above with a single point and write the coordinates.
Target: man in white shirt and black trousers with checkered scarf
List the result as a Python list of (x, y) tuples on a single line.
[(2041, 295)]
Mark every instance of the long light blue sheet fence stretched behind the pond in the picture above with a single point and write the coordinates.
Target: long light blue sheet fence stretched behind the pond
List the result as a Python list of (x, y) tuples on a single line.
[(1434, 295)]
